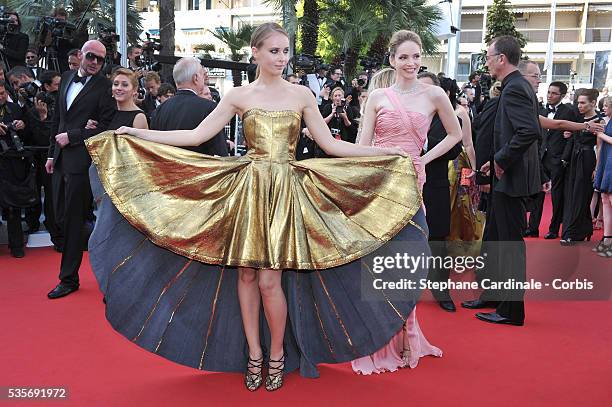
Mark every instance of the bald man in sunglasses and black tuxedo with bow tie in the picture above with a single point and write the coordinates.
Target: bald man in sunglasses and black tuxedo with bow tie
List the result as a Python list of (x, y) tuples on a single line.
[(83, 95)]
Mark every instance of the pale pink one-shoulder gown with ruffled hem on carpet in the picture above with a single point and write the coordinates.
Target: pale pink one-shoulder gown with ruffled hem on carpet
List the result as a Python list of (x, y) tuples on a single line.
[(407, 130)]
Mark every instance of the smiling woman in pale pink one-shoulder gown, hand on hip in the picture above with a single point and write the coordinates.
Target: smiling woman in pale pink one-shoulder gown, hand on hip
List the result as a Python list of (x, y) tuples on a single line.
[(400, 116)]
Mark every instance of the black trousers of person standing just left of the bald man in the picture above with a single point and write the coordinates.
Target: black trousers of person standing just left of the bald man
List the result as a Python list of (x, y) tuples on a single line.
[(44, 181)]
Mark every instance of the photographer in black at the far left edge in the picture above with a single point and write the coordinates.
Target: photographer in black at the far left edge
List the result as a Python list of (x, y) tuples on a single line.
[(14, 171)]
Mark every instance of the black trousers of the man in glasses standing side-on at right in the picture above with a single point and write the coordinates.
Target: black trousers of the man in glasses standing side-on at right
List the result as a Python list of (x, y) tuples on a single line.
[(507, 215)]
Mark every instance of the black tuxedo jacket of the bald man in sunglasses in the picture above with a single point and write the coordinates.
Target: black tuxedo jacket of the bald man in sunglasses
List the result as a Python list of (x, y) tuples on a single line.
[(93, 102)]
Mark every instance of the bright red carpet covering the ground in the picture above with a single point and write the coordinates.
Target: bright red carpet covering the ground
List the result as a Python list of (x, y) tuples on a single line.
[(561, 357)]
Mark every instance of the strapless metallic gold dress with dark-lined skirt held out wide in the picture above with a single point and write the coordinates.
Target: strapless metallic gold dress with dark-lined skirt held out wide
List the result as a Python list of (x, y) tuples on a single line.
[(174, 224)]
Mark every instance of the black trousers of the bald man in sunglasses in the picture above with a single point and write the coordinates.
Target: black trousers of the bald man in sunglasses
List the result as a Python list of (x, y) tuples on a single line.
[(73, 210)]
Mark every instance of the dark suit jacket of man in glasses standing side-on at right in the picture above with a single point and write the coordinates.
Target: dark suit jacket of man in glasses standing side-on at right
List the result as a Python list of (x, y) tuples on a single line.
[(515, 138)]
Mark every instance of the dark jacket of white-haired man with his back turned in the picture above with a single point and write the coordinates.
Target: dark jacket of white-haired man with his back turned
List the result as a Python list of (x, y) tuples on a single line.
[(185, 111)]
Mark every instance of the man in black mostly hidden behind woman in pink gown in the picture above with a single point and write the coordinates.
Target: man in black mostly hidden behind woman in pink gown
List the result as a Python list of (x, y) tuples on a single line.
[(436, 197)]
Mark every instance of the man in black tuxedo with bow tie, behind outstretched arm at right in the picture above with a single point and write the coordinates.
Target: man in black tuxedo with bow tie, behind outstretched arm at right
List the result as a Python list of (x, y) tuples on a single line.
[(552, 150)]
